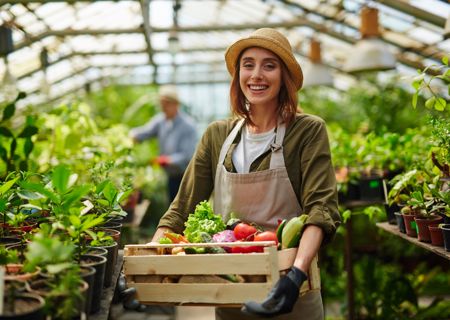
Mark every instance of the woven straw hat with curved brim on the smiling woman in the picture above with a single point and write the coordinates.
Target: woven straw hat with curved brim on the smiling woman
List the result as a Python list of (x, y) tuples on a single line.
[(269, 39)]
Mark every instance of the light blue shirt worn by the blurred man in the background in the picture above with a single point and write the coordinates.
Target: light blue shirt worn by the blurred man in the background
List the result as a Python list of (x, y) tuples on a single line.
[(177, 139)]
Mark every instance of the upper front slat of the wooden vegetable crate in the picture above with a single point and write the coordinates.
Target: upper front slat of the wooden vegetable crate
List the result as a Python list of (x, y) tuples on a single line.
[(198, 264)]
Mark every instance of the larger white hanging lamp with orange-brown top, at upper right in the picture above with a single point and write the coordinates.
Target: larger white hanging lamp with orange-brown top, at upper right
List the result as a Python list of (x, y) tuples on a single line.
[(370, 53)]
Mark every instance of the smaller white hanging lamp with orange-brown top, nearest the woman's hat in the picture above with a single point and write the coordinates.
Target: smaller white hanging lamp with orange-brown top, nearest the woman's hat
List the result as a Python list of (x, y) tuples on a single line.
[(316, 73)]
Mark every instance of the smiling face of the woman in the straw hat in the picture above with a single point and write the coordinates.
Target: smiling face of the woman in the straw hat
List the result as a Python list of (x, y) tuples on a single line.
[(260, 76)]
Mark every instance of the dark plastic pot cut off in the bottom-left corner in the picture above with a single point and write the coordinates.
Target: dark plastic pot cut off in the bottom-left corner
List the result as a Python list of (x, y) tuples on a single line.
[(27, 307)]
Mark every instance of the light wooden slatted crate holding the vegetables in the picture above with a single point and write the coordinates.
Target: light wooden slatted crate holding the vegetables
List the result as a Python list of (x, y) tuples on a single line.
[(145, 269)]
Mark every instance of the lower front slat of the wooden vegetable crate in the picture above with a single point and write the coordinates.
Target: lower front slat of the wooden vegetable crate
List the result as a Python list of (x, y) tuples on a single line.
[(232, 293)]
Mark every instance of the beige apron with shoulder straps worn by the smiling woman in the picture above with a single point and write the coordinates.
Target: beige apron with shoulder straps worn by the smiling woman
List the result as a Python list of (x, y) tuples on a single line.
[(263, 197)]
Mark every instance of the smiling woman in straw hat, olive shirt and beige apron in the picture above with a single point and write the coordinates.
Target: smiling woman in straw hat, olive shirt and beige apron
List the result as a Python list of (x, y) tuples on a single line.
[(271, 163)]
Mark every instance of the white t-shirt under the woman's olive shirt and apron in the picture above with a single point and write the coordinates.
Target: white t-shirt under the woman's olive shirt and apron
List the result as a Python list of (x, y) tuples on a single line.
[(251, 146)]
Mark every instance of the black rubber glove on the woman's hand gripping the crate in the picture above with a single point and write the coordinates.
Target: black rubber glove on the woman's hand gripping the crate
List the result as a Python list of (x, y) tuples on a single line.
[(281, 298)]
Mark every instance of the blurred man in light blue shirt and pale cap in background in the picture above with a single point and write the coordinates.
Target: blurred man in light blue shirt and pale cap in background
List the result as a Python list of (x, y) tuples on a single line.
[(176, 134)]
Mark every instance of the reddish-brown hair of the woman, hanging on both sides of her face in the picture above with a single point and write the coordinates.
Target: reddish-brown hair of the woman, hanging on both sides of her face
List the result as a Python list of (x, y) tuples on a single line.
[(287, 97)]
